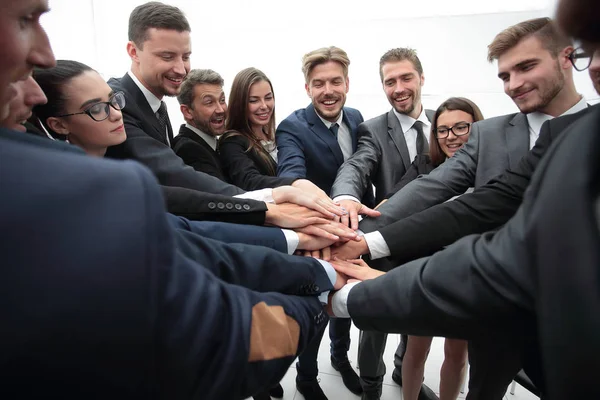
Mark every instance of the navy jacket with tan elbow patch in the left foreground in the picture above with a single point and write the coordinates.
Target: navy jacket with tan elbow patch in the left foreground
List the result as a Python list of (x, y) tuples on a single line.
[(99, 299)]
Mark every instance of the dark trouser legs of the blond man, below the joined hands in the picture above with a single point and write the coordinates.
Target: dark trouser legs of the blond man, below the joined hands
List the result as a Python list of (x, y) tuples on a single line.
[(339, 334)]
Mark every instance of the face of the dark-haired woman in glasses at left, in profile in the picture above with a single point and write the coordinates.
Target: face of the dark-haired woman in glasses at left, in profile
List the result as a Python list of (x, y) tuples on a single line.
[(81, 93)]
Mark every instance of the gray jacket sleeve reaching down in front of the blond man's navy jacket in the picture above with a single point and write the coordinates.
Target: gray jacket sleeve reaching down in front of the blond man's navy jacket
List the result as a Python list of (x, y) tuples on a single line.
[(356, 173)]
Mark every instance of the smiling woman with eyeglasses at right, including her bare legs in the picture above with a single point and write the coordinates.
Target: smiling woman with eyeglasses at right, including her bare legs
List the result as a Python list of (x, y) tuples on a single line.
[(450, 128)]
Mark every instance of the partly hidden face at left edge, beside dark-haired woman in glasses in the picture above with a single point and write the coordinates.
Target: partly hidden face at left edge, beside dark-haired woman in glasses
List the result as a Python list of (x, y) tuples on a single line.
[(28, 95)]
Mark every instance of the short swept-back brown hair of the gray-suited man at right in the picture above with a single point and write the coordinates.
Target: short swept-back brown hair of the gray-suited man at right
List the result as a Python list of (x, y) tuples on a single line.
[(544, 29)]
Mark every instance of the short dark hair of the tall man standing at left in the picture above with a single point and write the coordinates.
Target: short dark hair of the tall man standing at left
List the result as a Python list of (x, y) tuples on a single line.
[(155, 15)]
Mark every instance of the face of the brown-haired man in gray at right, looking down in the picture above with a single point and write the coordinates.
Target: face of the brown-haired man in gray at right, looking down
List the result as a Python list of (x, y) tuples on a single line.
[(532, 77)]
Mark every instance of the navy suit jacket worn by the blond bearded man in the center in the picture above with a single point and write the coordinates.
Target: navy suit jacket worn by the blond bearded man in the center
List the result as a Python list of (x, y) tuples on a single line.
[(307, 149)]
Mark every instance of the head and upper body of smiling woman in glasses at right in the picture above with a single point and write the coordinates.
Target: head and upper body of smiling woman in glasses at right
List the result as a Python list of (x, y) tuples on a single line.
[(450, 129)]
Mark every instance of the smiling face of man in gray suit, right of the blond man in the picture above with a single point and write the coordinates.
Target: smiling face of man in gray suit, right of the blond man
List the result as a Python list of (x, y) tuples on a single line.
[(402, 86)]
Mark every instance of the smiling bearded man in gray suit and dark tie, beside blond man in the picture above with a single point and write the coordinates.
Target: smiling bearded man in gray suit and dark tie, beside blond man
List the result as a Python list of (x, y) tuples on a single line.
[(386, 147)]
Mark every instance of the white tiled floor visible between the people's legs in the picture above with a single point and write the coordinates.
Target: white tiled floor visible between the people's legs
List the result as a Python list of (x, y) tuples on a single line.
[(332, 385)]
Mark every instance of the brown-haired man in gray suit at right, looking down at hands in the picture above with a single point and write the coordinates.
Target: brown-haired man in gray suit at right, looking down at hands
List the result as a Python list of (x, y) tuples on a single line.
[(534, 65)]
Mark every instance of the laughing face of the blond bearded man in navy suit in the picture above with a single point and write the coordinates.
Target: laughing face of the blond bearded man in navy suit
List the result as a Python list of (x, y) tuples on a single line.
[(327, 87)]
